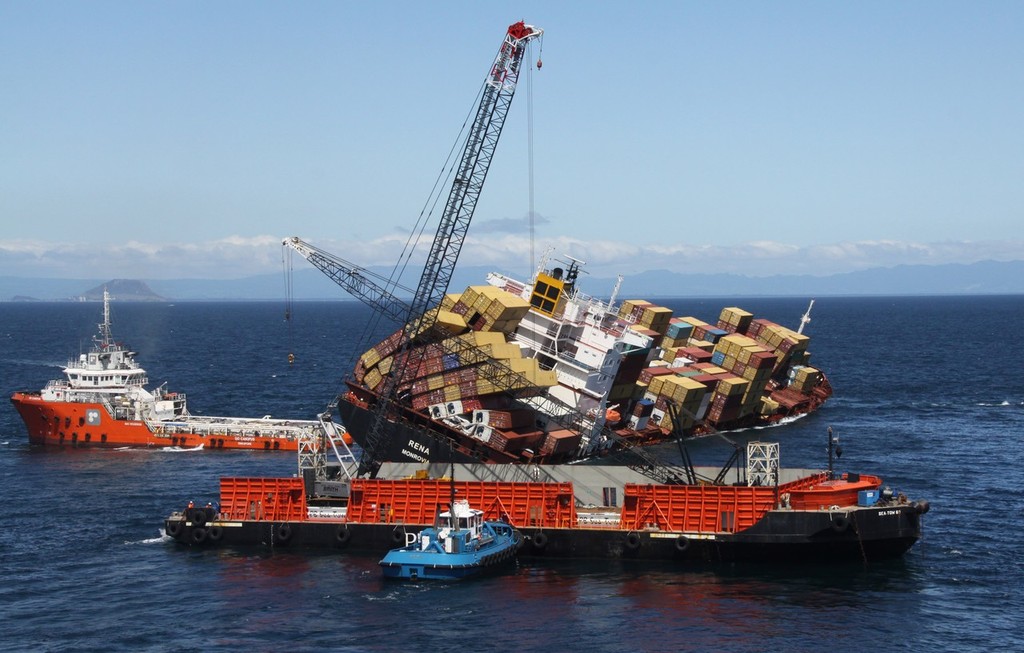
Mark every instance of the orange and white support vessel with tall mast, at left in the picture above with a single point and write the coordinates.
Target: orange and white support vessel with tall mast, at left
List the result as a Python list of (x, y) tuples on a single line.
[(103, 402)]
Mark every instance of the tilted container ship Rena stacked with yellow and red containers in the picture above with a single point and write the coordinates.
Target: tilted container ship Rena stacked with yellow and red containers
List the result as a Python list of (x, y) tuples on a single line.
[(541, 373)]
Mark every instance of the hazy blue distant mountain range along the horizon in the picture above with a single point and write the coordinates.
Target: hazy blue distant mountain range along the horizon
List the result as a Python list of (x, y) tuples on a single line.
[(988, 278)]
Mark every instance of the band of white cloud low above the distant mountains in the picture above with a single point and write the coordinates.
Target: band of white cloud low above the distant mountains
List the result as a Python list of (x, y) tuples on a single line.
[(238, 256)]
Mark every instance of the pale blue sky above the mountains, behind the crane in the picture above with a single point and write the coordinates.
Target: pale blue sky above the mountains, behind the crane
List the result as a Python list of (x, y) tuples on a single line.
[(187, 140)]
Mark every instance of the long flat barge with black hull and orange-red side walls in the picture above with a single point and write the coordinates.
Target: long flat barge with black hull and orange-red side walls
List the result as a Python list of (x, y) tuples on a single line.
[(575, 511)]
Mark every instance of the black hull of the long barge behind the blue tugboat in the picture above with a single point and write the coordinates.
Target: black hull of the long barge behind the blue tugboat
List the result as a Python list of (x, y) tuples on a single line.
[(783, 536)]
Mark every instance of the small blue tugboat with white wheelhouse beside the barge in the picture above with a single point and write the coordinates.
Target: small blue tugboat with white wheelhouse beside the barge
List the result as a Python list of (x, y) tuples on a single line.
[(460, 545)]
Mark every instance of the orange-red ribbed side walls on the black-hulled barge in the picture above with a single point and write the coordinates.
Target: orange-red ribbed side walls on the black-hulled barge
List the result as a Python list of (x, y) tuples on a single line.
[(700, 509)]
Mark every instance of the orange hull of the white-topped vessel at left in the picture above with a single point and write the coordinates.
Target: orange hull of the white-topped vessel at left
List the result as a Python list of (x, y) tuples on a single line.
[(84, 425)]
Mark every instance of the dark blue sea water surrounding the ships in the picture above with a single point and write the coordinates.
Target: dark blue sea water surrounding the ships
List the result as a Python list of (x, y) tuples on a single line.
[(929, 395)]
